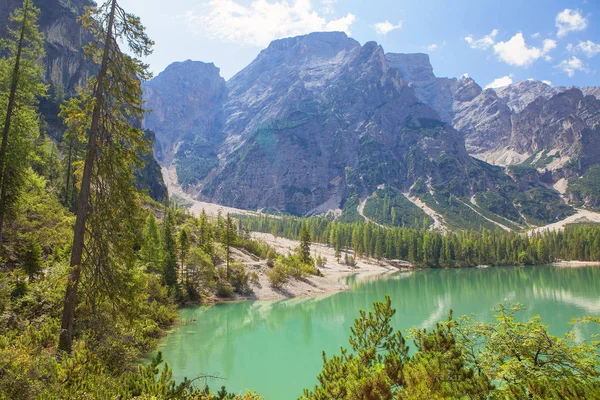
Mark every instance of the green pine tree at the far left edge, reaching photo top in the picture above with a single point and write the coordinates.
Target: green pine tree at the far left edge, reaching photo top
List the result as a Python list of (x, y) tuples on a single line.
[(22, 76)]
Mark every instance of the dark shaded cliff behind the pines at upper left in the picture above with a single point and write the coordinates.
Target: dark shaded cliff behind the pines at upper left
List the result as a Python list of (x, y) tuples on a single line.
[(67, 68)]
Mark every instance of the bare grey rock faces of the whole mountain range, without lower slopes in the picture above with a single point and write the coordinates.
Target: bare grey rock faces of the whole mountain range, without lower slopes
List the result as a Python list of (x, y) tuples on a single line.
[(318, 118)]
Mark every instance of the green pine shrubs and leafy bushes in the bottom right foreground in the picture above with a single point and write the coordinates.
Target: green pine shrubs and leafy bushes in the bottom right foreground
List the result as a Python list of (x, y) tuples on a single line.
[(503, 359)]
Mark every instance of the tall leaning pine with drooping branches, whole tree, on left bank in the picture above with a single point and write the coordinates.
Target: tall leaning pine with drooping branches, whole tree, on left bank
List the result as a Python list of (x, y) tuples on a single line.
[(104, 231)]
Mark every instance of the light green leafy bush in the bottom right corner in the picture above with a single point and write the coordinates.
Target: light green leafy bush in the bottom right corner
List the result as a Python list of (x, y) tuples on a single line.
[(525, 361)]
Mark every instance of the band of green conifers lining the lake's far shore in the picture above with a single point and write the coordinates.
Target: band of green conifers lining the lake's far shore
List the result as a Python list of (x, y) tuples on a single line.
[(433, 249)]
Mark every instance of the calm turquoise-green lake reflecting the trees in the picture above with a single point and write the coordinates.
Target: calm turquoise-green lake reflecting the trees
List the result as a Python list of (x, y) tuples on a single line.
[(274, 348)]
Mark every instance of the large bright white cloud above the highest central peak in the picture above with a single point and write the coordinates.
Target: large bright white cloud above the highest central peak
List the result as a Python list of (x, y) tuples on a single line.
[(261, 21)]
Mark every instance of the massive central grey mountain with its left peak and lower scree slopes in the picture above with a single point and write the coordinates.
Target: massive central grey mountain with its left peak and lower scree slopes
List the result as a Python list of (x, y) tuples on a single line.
[(320, 123)]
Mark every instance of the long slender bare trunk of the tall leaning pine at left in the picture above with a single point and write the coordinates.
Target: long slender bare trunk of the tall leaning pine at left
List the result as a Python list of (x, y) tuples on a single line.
[(68, 317)]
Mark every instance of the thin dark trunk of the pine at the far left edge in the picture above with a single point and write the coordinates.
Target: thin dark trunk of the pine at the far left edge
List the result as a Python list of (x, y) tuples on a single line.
[(9, 110)]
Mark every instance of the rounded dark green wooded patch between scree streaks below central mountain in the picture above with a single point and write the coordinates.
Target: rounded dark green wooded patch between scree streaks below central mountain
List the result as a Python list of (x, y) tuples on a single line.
[(390, 207)]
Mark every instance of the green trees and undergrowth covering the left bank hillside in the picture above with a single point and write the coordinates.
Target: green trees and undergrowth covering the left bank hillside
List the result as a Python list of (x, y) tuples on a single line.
[(83, 296)]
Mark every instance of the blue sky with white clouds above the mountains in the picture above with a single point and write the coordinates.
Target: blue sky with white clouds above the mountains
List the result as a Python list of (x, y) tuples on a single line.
[(494, 42)]
